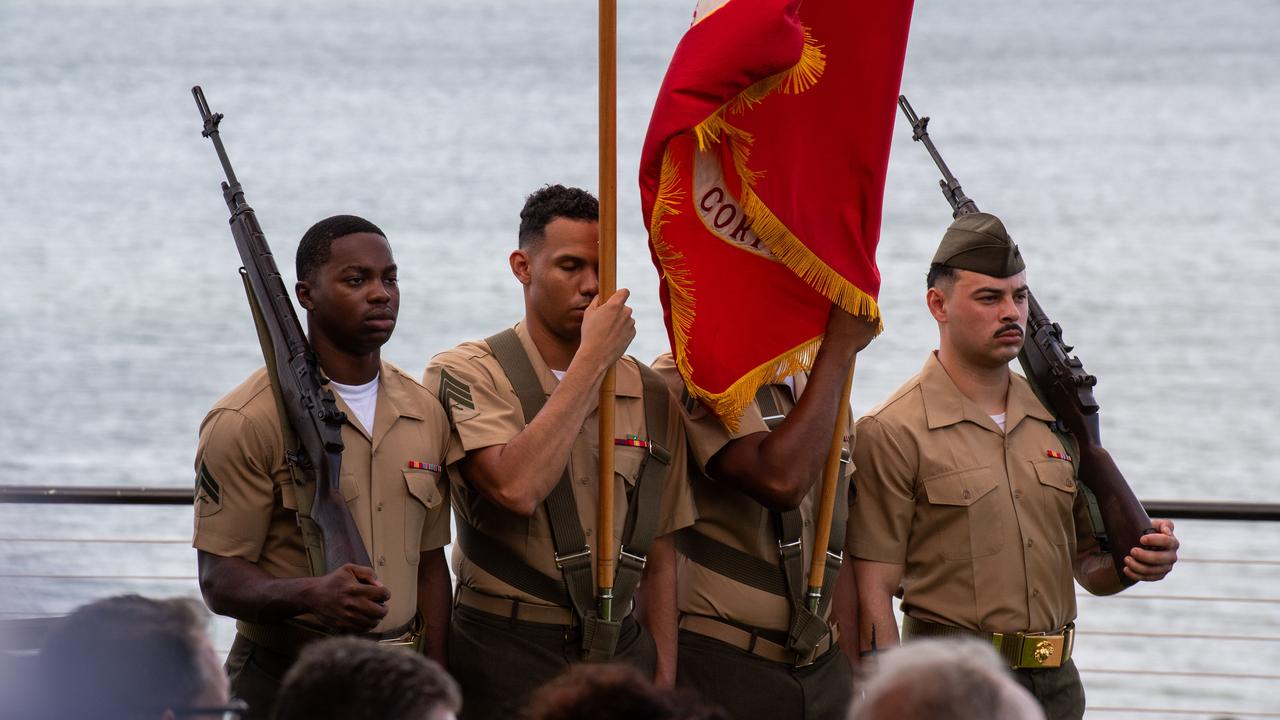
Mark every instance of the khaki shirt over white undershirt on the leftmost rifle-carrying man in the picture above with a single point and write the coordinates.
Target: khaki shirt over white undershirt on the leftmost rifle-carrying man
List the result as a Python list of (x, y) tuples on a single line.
[(394, 485)]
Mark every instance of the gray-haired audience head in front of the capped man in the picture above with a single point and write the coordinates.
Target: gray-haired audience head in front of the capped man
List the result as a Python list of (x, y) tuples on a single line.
[(954, 680)]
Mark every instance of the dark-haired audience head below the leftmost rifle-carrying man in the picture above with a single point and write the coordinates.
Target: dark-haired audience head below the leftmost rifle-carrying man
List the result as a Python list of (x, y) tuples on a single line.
[(358, 680)]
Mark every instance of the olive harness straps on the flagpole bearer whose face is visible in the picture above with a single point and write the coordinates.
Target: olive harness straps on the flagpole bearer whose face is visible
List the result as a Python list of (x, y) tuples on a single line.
[(575, 589)]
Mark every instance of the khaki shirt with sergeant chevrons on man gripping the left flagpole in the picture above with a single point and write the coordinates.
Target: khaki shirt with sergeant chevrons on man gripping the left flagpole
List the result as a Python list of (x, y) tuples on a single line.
[(484, 411)]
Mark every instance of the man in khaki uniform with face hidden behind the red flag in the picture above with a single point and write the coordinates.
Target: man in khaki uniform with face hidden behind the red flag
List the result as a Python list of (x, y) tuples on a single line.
[(735, 625)]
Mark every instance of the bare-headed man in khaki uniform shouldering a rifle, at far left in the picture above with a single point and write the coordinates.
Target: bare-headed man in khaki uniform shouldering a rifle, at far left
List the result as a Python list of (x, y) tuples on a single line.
[(252, 554)]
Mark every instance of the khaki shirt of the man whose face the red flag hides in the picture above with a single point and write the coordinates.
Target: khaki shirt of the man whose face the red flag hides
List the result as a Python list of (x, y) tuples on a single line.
[(732, 517)]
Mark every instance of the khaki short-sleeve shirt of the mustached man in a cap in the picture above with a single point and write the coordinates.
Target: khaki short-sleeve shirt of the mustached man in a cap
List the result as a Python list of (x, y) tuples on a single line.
[(988, 523)]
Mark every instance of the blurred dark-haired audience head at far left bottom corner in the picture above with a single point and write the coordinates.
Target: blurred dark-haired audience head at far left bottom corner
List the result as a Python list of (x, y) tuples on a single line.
[(122, 658)]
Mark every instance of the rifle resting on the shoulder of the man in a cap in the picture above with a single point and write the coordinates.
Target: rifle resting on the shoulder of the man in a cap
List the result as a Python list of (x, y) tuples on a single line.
[(1060, 382)]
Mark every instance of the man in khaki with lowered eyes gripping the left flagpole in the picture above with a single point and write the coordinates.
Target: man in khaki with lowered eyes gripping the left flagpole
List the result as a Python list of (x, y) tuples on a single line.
[(518, 623)]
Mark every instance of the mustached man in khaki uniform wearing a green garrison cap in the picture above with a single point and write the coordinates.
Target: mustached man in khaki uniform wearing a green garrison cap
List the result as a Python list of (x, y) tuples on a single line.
[(968, 505)]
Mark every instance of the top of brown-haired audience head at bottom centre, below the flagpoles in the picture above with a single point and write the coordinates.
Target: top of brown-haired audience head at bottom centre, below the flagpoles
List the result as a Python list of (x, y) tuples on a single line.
[(614, 692)]
